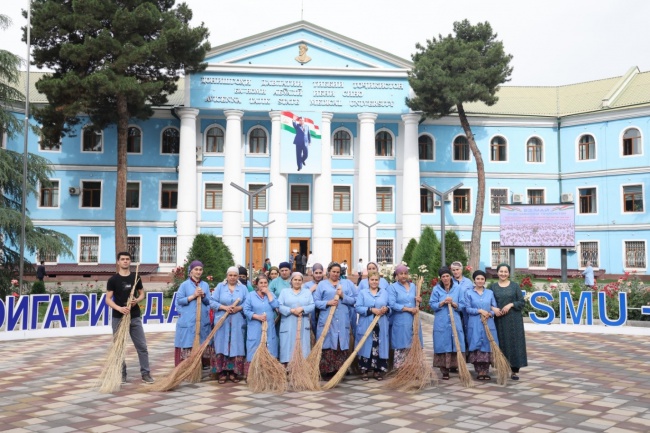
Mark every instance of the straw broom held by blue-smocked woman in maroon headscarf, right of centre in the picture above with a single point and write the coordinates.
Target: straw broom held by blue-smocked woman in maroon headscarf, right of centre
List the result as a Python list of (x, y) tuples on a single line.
[(416, 372)]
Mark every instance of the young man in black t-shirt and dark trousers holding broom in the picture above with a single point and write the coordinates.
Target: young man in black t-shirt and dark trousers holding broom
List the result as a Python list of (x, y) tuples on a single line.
[(118, 290)]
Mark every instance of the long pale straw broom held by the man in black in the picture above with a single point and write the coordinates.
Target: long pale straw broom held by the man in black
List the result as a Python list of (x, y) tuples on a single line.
[(110, 378)]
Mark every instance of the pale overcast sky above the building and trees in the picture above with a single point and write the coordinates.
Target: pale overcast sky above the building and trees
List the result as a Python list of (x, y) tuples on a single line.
[(553, 42)]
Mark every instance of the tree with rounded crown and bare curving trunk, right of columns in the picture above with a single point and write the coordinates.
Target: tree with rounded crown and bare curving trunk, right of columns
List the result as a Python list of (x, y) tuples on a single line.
[(457, 69)]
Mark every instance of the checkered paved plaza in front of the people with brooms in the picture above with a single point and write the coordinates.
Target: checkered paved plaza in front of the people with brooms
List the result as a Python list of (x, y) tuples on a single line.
[(574, 383)]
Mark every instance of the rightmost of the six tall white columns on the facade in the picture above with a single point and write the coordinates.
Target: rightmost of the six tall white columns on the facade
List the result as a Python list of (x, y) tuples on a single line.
[(411, 219)]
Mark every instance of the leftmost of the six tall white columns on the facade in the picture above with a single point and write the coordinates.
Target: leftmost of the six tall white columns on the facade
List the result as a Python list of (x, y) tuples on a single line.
[(186, 209)]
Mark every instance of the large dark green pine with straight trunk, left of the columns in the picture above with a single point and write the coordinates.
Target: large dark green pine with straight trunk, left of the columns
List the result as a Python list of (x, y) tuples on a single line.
[(111, 61)]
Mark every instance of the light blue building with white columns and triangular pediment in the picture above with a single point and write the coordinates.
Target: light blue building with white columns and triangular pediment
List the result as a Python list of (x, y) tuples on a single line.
[(583, 143)]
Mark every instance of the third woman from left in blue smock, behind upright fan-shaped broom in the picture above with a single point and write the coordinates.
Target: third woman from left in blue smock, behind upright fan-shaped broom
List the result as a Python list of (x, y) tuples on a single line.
[(260, 307)]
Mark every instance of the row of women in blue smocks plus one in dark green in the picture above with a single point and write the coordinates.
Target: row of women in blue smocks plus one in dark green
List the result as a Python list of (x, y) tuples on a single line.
[(306, 307)]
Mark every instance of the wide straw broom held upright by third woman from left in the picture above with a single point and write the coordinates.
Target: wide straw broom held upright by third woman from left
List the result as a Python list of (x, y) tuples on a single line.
[(265, 373)]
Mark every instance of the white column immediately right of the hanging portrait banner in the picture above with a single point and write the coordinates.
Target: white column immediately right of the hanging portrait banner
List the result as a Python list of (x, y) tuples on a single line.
[(322, 197)]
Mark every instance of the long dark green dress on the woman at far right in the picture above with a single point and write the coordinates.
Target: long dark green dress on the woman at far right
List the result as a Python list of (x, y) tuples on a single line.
[(510, 328)]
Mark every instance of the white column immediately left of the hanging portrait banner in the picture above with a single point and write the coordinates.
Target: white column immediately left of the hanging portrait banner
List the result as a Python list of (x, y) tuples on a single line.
[(278, 239)]
